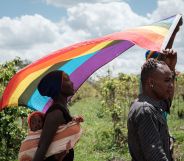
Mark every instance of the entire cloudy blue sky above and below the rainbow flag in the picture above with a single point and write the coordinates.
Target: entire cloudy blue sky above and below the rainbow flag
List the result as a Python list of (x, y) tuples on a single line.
[(31, 29)]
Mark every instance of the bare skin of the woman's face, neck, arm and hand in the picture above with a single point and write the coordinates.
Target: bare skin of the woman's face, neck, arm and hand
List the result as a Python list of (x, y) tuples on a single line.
[(54, 119)]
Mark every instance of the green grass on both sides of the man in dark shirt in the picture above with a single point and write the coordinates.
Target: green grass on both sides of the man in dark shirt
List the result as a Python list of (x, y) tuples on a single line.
[(91, 148)]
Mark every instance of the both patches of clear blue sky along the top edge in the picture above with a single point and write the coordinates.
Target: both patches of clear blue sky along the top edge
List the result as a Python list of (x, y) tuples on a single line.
[(18, 8)]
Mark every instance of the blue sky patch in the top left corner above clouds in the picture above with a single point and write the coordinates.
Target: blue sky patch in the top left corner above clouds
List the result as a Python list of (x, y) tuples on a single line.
[(17, 8)]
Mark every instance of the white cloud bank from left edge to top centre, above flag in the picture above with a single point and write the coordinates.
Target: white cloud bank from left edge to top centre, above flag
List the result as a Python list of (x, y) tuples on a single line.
[(34, 36)]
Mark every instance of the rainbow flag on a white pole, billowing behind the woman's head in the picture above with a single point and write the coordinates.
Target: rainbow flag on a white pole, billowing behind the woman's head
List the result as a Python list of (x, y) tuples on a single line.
[(81, 60)]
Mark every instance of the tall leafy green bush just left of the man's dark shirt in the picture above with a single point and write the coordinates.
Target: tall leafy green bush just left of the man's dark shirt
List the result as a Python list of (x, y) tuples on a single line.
[(117, 95)]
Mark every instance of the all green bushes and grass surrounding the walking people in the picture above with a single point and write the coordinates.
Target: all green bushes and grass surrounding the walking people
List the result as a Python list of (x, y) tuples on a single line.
[(104, 104)]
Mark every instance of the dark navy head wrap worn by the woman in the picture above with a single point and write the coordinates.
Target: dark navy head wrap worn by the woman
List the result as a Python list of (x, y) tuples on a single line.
[(50, 85)]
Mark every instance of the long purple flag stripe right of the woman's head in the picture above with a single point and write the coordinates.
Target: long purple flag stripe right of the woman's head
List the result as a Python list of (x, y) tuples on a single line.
[(102, 57)]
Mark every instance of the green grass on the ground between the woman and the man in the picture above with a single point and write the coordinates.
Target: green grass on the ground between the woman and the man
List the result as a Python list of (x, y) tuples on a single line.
[(86, 149)]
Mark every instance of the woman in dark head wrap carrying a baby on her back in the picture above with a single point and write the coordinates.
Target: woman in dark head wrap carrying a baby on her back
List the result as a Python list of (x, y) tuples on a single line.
[(59, 87)]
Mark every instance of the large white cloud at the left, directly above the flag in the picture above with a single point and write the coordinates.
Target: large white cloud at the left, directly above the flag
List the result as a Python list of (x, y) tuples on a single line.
[(31, 37)]
